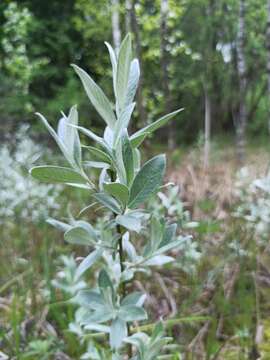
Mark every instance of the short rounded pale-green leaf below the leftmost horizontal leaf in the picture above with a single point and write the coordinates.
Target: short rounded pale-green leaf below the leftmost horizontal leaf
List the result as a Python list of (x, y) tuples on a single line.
[(81, 234)]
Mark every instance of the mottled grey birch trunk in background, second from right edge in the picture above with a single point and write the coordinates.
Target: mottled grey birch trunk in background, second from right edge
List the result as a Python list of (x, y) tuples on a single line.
[(241, 66)]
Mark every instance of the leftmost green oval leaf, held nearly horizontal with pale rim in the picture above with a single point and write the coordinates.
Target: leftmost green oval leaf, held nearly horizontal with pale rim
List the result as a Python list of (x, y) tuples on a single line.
[(56, 174)]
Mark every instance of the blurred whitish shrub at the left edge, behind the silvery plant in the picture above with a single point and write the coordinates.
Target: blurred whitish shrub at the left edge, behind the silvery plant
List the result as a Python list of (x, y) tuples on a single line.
[(20, 196)]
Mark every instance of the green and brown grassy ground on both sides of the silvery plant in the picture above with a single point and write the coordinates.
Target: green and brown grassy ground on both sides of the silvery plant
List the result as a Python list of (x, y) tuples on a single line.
[(219, 308)]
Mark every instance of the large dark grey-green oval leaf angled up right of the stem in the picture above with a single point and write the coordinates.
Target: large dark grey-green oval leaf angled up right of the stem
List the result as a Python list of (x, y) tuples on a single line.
[(147, 181)]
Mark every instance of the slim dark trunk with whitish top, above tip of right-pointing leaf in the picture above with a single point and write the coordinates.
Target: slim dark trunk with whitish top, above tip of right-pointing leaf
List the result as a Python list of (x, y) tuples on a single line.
[(164, 10)]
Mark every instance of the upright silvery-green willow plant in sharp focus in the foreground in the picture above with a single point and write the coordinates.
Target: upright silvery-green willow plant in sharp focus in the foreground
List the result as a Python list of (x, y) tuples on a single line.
[(122, 187)]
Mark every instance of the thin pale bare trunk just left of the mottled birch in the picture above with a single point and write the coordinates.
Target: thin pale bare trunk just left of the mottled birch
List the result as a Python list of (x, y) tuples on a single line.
[(207, 127)]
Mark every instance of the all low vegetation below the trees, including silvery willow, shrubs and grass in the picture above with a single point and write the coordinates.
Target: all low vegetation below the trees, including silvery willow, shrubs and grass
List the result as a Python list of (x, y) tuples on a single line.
[(142, 268)]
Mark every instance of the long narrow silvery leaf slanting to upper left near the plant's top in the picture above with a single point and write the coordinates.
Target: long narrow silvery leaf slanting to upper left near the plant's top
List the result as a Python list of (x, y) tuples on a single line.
[(97, 97)]
